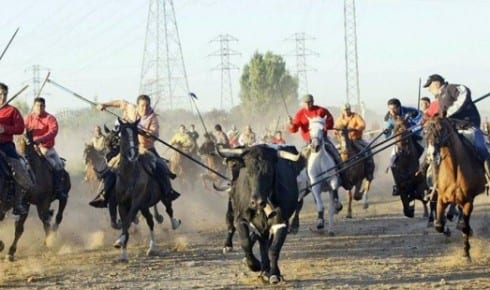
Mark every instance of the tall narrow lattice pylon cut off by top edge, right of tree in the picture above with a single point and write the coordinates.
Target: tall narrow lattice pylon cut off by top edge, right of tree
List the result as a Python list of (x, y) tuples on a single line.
[(351, 64)]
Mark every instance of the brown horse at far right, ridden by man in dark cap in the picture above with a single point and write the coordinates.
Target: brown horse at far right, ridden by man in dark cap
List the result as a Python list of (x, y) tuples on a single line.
[(460, 176)]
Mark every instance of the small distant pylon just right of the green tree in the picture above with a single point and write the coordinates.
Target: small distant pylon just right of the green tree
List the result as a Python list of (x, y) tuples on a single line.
[(301, 55)]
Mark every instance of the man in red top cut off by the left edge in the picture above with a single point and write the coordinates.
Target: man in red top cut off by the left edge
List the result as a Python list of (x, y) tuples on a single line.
[(11, 123)]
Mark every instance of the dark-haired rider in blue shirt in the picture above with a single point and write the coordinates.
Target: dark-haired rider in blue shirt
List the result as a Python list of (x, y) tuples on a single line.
[(413, 117)]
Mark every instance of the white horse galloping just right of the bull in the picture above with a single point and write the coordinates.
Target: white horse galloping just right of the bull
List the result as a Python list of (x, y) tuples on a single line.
[(319, 168)]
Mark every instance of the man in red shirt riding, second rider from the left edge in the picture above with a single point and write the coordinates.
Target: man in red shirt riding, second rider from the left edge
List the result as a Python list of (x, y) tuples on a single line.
[(44, 129)]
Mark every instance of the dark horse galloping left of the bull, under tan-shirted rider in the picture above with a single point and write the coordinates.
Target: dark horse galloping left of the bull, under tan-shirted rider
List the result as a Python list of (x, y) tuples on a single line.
[(136, 189)]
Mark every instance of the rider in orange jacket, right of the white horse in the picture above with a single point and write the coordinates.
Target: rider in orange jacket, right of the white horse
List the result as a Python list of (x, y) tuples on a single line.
[(355, 125)]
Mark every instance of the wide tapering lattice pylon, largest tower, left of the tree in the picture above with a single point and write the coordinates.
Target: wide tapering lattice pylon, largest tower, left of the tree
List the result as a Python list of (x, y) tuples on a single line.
[(163, 74)]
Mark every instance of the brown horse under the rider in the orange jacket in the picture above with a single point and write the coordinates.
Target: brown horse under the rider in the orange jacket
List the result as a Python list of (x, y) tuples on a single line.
[(355, 174)]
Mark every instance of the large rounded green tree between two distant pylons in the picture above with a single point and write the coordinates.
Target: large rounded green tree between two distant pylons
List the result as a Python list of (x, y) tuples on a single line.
[(264, 82)]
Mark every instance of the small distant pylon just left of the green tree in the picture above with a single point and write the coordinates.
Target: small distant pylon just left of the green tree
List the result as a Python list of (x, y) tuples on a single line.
[(226, 67)]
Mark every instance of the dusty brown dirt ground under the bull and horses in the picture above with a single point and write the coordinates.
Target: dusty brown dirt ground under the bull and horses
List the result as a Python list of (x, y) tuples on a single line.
[(377, 249)]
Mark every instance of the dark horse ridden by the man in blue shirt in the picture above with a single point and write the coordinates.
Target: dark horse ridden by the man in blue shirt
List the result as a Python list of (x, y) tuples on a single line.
[(410, 185)]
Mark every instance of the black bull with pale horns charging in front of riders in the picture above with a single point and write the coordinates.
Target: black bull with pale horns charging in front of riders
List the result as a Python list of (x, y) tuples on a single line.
[(263, 195)]
